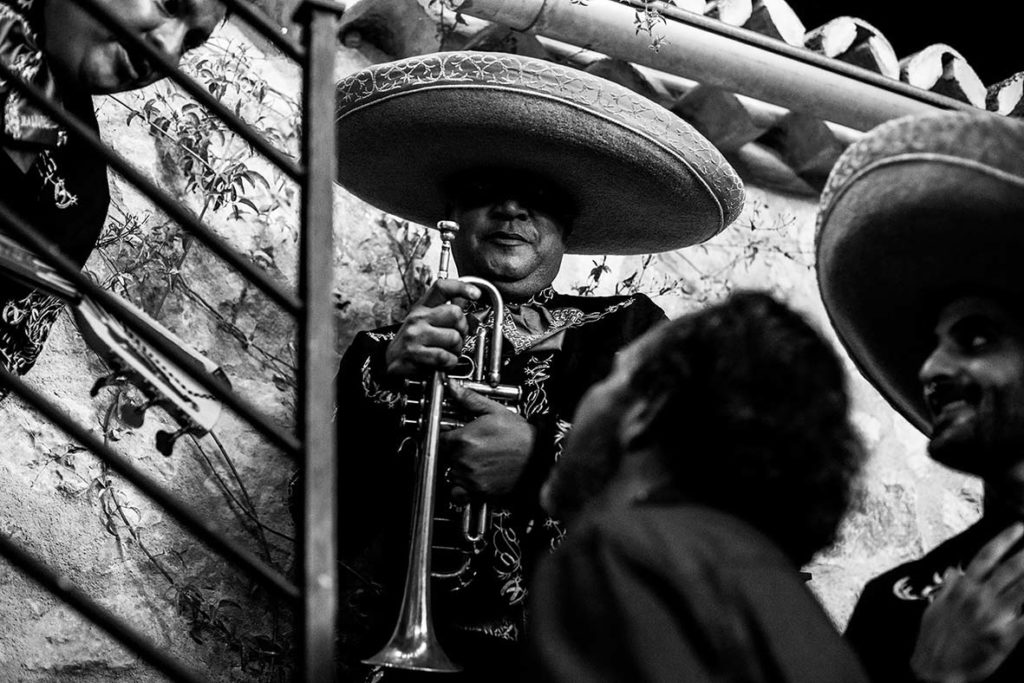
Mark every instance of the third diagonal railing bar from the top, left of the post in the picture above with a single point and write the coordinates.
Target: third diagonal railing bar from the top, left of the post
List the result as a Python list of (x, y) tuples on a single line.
[(161, 199)]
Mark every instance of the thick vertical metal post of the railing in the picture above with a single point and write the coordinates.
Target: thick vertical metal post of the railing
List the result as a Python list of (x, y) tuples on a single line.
[(317, 344)]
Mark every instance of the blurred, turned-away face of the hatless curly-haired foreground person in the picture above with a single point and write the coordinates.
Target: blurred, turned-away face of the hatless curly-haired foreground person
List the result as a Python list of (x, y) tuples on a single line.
[(594, 448)]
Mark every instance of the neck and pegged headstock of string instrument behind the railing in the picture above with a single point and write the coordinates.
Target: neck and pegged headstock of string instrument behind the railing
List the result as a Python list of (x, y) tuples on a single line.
[(163, 382)]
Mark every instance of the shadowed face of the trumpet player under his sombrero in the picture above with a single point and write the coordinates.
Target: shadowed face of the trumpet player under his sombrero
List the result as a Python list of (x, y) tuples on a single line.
[(513, 233)]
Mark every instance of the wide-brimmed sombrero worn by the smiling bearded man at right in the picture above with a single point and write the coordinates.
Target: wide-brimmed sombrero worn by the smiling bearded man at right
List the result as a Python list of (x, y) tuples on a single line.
[(920, 211)]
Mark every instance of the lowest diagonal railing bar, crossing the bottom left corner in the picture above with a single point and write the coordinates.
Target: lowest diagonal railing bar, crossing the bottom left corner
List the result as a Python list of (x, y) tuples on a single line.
[(60, 586)]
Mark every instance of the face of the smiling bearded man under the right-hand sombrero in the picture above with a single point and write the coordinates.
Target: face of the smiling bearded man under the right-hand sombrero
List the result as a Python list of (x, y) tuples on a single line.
[(974, 388)]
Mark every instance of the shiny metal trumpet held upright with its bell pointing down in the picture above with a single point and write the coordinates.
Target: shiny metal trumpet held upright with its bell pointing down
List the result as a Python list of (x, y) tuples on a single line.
[(414, 645)]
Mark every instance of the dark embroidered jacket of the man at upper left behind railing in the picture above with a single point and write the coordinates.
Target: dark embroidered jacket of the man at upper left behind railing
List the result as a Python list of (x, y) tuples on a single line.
[(64, 194)]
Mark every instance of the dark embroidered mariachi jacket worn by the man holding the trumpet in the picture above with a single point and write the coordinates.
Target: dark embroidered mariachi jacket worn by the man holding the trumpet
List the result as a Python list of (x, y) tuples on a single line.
[(557, 348)]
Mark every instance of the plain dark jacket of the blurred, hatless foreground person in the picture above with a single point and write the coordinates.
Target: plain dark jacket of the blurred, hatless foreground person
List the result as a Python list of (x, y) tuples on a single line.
[(674, 591)]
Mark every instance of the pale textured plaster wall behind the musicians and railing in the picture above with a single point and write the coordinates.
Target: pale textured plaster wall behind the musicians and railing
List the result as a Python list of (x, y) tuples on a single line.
[(106, 538)]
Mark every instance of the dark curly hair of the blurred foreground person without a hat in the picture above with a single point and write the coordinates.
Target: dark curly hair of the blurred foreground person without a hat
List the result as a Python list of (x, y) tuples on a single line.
[(754, 418)]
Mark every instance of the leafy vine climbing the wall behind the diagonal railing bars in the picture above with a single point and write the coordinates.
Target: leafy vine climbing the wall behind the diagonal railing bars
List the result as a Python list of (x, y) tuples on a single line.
[(142, 259)]
